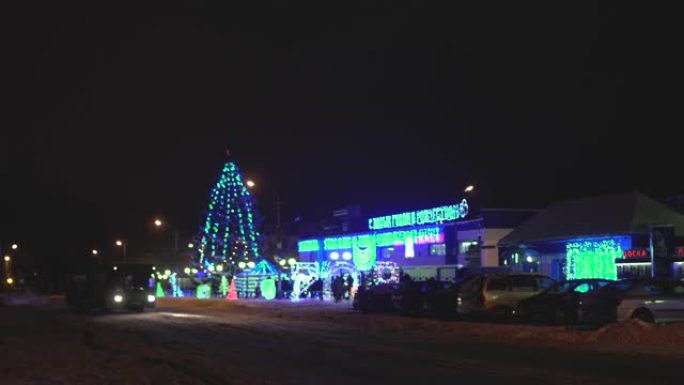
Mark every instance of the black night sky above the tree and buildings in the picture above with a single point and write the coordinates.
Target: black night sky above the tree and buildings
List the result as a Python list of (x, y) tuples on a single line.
[(112, 114)]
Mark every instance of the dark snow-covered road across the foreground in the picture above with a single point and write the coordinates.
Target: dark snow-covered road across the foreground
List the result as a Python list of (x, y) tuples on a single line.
[(220, 342)]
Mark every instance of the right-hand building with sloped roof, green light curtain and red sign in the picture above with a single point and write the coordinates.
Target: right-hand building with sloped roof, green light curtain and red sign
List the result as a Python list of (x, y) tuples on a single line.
[(602, 237)]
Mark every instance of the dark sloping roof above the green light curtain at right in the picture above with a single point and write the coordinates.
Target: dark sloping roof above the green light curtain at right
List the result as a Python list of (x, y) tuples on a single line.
[(619, 214)]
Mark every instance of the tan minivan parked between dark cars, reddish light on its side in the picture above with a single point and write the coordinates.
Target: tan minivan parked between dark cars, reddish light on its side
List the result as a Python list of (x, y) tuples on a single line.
[(498, 294)]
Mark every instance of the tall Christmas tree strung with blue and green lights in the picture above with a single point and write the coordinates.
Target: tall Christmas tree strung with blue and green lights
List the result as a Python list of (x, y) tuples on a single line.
[(229, 232)]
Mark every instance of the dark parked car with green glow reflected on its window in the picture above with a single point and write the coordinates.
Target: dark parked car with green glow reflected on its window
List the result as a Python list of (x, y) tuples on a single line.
[(559, 303)]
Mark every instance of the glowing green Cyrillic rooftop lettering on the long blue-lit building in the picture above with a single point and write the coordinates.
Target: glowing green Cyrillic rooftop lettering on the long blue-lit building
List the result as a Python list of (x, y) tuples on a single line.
[(421, 217)]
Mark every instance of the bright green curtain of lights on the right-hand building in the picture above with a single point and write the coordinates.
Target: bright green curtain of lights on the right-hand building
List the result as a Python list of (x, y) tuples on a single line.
[(593, 258)]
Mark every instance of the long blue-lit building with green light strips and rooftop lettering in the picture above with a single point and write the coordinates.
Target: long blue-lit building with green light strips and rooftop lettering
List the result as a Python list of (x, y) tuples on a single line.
[(428, 243)]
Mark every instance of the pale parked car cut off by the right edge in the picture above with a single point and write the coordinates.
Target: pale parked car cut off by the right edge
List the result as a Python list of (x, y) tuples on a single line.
[(650, 300)]
